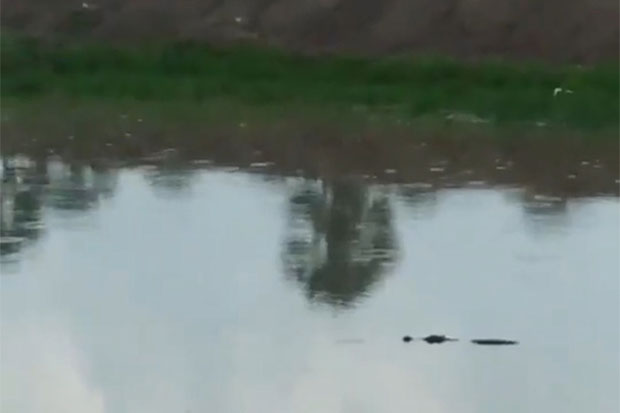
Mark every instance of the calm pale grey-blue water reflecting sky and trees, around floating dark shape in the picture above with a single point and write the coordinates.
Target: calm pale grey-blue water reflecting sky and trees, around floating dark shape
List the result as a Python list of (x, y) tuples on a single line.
[(206, 289)]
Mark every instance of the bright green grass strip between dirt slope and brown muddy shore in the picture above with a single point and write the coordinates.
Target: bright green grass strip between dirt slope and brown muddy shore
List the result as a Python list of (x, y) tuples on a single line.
[(406, 87)]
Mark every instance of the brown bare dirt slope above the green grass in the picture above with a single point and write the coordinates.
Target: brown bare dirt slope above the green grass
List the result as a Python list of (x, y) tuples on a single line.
[(580, 31)]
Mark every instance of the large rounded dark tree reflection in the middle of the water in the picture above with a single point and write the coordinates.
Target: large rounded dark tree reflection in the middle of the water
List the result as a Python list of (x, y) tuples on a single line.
[(341, 239)]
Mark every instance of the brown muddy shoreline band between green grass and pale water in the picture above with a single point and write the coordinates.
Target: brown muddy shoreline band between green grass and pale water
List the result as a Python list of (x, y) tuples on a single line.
[(555, 168)]
